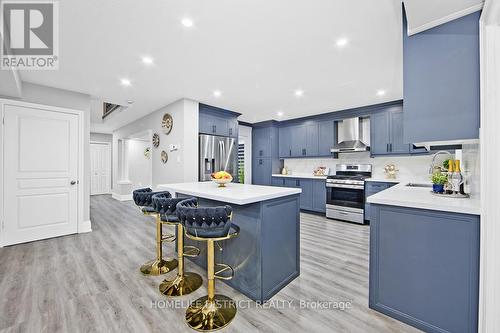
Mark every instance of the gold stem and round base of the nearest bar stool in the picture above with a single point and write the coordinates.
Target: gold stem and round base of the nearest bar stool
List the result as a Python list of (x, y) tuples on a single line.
[(211, 312)]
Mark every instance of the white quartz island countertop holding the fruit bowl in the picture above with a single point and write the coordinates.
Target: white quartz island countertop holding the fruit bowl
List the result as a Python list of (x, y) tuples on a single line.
[(239, 194)]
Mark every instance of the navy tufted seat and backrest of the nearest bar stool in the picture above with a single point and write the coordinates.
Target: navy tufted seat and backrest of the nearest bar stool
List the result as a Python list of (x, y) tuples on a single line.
[(204, 222)]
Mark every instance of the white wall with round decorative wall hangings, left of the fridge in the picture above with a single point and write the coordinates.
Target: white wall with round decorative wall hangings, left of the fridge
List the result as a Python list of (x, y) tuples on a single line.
[(182, 165)]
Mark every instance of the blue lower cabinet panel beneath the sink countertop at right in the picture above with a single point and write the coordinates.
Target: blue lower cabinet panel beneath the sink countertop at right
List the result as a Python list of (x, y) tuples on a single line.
[(424, 267)]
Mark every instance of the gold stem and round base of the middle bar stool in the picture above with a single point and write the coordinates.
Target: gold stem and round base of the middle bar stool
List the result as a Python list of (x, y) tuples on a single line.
[(185, 282)]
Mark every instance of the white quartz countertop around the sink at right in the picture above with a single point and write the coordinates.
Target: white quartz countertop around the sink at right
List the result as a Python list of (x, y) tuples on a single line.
[(421, 197)]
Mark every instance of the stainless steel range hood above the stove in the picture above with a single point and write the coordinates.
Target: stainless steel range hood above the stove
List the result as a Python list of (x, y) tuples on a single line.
[(353, 135)]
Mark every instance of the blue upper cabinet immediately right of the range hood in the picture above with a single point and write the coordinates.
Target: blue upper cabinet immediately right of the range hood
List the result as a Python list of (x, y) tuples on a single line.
[(387, 132)]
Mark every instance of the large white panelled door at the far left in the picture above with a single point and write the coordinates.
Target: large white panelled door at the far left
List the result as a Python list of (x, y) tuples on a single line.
[(40, 174)]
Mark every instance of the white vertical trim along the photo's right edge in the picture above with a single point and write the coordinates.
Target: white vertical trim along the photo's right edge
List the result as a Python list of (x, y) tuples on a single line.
[(489, 299)]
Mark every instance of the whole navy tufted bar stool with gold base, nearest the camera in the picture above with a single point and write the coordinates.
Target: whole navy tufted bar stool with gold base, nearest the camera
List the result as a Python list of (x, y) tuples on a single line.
[(210, 224)]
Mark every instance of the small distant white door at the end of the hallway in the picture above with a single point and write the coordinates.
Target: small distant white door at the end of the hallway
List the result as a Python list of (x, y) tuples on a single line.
[(100, 168)]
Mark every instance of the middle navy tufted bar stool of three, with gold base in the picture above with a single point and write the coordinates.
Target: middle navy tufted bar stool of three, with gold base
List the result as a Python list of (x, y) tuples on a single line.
[(185, 282)]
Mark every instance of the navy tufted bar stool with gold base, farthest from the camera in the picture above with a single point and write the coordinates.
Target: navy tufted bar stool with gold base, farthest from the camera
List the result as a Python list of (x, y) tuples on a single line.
[(144, 199)]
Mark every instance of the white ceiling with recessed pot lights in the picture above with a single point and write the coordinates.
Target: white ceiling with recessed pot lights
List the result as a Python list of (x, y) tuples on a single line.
[(257, 53)]
